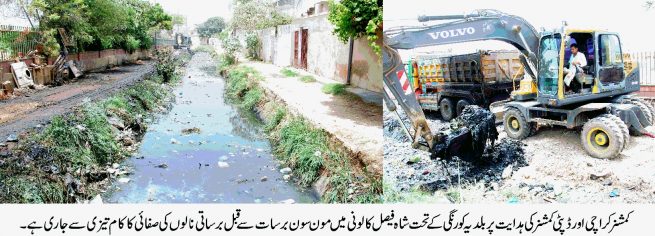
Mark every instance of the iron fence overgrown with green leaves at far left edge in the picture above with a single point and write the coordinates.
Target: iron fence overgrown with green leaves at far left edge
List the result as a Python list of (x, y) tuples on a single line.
[(17, 40)]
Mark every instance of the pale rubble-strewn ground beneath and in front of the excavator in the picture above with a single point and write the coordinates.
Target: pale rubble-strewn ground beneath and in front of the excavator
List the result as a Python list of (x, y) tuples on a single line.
[(558, 170)]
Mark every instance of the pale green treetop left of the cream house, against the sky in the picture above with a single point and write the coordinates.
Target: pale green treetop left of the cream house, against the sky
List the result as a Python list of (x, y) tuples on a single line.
[(256, 14)]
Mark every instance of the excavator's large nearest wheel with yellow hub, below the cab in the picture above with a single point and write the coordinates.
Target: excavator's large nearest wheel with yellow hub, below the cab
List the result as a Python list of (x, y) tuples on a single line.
[(602, 138)]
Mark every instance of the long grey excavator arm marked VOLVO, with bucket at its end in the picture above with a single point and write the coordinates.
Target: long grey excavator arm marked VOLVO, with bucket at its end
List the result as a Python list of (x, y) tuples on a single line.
[(481, 25)]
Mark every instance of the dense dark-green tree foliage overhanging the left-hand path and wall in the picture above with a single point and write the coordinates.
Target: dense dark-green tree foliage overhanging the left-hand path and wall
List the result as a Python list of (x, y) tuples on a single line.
[(103, 24)]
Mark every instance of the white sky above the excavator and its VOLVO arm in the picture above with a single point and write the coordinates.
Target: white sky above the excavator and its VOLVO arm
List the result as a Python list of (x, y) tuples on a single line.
[(629, 18)]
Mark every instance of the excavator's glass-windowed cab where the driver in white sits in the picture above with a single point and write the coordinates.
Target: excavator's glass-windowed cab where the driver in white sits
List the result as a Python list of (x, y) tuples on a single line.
[(603, 75)]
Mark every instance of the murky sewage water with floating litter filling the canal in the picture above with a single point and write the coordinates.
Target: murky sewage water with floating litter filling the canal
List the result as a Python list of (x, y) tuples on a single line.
[(228, 161)]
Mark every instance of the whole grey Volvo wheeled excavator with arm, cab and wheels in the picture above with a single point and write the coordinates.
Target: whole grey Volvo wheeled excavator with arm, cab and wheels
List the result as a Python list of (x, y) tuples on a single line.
[(598, 97)]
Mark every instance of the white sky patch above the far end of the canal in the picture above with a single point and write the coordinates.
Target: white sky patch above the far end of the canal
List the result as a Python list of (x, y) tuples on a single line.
[(197, 11)]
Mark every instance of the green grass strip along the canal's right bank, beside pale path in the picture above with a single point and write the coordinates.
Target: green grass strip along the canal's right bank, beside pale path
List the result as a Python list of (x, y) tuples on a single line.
[(297, 144)]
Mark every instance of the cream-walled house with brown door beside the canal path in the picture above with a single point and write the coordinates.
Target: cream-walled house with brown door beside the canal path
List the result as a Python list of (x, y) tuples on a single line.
[(308, 43)]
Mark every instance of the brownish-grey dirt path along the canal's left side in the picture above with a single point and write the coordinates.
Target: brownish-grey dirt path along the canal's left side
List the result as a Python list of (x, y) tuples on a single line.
[(37, 107)]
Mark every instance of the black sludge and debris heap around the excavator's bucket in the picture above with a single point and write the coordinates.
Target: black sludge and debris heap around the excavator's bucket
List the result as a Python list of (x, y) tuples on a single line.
[(410, 168)]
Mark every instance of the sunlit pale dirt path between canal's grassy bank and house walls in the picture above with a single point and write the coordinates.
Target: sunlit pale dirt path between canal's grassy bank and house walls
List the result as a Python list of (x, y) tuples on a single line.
[(357, 124)]
